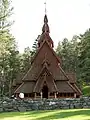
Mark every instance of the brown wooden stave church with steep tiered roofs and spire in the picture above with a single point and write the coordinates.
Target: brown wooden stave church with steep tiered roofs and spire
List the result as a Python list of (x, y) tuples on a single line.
[(46, 78)]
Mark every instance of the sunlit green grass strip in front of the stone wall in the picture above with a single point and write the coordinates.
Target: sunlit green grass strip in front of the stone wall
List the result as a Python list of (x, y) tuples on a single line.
[(75, 114)]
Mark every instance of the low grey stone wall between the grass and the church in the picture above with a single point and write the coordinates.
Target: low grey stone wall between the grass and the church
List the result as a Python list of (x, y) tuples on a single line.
[(13, 105)]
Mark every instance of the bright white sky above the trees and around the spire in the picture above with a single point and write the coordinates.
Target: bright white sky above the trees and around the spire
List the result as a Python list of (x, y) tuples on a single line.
[(65, 18)]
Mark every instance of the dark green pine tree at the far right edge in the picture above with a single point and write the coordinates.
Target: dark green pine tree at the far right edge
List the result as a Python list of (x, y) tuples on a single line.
[(84, 56)]
